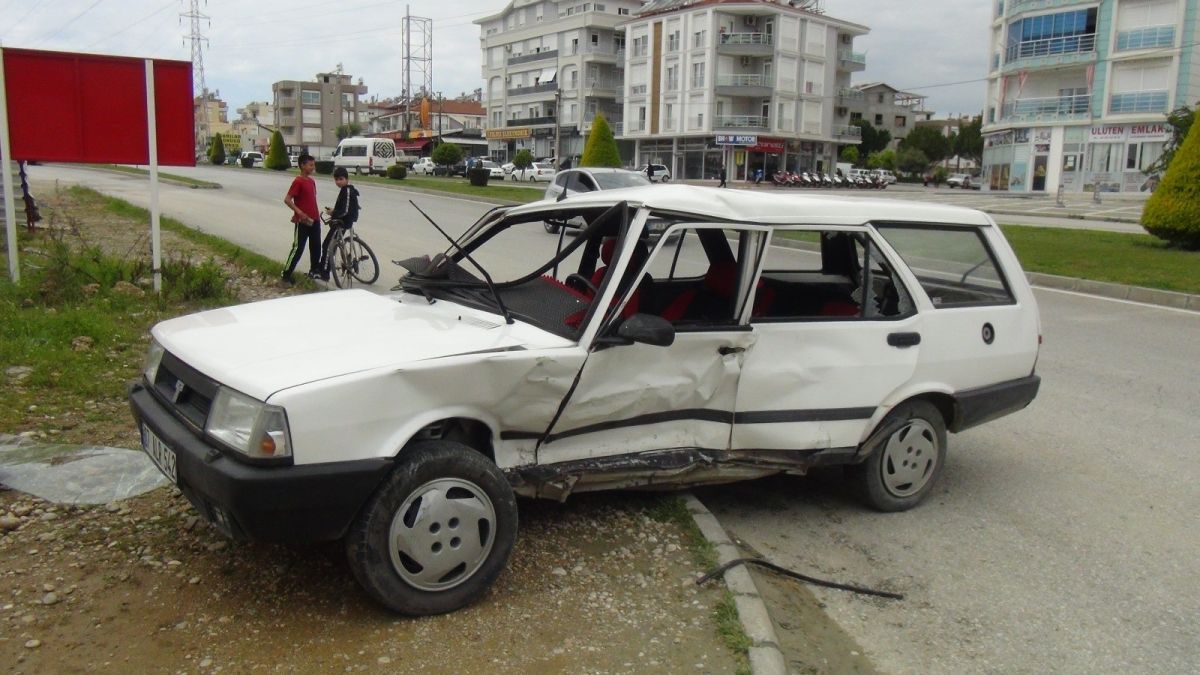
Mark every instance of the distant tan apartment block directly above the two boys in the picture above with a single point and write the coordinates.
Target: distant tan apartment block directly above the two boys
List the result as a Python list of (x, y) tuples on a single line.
[(309, 114)]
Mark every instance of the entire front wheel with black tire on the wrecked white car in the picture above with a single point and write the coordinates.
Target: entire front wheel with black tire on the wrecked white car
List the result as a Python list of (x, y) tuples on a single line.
[(445, 505)]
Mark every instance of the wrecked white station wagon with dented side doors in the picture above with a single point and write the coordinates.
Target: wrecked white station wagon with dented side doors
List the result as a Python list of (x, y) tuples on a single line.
[(770, 334)]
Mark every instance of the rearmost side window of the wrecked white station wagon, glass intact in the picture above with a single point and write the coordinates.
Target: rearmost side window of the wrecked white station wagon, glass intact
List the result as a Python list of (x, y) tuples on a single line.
[(955, 265)]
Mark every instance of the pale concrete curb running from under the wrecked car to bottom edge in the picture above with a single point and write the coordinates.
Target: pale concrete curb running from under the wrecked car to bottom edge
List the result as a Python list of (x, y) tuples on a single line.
[(766, 658)]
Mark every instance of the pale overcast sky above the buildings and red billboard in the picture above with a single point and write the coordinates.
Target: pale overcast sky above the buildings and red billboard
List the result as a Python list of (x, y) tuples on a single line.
[(255, 44)]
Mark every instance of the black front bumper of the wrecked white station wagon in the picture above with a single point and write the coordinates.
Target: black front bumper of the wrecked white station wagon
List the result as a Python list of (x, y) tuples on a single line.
[(271, 504)]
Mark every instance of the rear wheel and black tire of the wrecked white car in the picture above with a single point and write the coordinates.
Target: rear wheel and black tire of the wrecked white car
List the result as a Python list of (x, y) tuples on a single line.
[(907, 464)]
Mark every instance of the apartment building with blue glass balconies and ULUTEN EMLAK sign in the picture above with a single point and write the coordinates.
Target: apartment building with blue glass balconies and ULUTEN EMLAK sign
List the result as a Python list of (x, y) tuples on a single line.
[(1079, 92)]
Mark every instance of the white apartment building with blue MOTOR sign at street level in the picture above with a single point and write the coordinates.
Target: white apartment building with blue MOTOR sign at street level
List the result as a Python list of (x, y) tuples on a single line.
[(747, 85)]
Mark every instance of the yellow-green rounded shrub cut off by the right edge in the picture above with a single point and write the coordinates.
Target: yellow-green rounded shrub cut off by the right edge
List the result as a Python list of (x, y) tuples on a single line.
[(1173, 212)]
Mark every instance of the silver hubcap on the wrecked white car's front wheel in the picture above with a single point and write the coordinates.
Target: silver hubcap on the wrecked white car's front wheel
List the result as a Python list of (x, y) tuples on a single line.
[(442, 534)]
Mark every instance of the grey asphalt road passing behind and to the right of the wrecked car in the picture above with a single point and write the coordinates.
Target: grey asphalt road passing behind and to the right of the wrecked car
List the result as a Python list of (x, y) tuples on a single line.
[(1063, 539)]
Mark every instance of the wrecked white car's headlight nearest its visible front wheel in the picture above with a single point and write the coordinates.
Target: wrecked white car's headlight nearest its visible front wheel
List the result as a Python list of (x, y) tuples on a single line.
[(249, 426)]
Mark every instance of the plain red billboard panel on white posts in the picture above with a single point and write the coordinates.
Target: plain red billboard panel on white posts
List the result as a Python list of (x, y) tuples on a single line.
[(87, 109)]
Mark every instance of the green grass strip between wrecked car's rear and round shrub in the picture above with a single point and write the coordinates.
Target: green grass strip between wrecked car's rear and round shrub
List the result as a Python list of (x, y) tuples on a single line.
[(1136, 260)]
